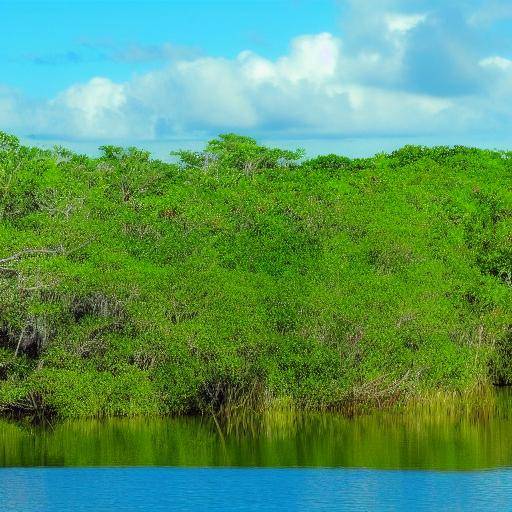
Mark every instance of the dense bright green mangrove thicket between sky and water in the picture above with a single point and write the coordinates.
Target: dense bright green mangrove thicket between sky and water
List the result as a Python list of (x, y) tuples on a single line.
[(243, 275)]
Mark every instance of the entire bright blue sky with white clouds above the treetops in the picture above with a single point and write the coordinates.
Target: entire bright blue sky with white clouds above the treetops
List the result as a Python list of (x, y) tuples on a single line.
[(347, 76)]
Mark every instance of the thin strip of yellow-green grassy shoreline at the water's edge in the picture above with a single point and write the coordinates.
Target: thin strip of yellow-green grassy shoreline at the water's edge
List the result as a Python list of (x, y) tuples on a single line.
[(479, 404)]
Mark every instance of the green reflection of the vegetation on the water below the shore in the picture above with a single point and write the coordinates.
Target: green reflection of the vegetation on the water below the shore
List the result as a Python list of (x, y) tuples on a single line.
[(435, 439)]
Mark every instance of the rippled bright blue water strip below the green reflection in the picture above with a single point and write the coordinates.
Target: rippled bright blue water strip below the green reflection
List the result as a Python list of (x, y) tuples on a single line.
[(180, 489)]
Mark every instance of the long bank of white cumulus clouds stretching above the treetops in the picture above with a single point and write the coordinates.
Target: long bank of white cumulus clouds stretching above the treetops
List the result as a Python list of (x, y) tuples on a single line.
[(324, 85)]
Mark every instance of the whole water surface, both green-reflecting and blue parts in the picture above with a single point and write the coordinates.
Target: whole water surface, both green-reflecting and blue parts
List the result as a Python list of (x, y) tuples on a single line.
[(443, 459)]
